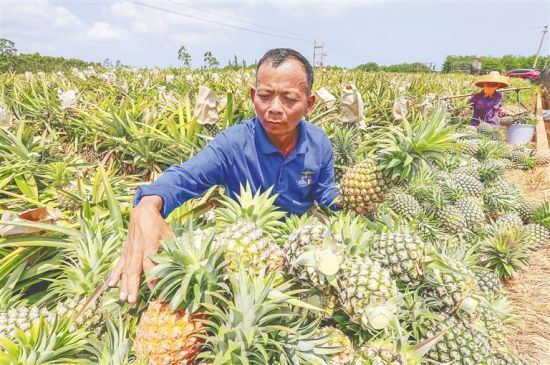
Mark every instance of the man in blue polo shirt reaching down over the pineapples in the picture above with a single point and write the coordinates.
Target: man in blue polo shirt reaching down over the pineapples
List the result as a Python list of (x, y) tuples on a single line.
[(276, 148)]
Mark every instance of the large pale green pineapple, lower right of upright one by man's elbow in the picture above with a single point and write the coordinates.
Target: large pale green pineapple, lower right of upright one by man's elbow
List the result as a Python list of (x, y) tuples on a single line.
[(403, 255)]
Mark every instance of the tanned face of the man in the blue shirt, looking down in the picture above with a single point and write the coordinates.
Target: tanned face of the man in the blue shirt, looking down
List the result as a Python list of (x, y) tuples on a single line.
[(280, 97)]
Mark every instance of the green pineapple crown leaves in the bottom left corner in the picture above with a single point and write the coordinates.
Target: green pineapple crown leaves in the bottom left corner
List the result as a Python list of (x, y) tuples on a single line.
[(45, 343)]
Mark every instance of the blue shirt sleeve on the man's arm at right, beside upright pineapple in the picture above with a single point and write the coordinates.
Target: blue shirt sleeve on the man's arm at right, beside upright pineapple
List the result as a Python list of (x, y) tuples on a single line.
[(326, 191)]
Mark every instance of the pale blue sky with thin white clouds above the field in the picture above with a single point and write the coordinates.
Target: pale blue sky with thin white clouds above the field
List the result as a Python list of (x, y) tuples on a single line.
[(147, 33)]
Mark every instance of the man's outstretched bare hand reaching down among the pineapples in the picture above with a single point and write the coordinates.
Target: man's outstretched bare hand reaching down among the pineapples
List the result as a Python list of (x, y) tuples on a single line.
[(147, 229)]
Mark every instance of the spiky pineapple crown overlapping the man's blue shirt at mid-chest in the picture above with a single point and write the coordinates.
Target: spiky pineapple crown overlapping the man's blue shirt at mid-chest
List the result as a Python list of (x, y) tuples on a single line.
[(257, 208)]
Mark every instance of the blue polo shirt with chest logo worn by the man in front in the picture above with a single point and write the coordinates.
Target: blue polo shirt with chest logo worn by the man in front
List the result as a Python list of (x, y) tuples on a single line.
[(244, 153)]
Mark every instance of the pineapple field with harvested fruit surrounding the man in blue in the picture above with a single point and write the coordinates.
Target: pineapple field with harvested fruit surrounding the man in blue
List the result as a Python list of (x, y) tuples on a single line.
[(440, 255)]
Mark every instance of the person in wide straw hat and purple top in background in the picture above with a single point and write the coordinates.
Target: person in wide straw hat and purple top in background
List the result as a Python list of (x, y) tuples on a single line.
[(487, 103)]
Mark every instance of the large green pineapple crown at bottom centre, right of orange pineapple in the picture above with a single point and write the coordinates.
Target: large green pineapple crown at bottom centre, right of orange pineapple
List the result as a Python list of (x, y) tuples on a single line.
[(255, 323)]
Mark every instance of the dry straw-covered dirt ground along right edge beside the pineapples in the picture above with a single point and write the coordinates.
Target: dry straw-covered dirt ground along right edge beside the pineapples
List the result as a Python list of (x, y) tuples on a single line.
[(529, 292)]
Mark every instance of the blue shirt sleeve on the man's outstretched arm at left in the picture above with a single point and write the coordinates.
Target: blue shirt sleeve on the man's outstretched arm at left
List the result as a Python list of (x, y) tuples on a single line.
[(188, 180)]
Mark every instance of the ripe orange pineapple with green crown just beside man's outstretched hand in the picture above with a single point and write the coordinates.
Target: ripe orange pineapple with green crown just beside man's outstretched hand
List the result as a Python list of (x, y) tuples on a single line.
[(189, 268)]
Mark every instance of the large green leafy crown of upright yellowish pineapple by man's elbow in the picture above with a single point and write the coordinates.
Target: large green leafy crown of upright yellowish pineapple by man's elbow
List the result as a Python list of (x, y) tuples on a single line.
[(406, 147)]
